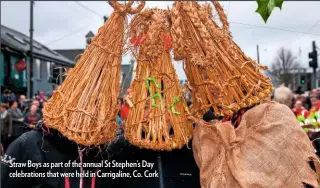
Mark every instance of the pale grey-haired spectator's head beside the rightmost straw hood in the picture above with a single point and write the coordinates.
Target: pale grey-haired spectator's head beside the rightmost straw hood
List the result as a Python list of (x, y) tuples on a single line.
[(283, 95)]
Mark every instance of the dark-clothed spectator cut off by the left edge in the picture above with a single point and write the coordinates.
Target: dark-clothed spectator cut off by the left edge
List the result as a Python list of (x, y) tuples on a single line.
[(6, 125)]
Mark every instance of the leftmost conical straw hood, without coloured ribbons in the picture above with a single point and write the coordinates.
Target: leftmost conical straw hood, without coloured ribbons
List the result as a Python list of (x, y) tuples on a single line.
[(84, 108)]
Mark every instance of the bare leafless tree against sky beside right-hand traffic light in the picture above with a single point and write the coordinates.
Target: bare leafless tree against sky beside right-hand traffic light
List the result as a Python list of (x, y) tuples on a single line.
[(283, 65)]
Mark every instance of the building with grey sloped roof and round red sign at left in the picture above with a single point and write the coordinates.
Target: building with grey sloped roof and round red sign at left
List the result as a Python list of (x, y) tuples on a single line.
[(15, 64)]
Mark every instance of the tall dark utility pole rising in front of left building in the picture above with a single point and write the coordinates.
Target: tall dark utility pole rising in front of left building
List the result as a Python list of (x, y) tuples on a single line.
[(30, 66)]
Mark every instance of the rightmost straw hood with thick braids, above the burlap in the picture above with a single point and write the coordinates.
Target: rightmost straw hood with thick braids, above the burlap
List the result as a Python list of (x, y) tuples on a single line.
[(221, 76)]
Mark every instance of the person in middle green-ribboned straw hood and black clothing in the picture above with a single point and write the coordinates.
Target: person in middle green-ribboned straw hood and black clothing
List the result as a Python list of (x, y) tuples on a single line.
[(177, 168)]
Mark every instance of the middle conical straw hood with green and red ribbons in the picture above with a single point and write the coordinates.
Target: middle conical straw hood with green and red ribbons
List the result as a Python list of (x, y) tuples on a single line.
[(157, 120)]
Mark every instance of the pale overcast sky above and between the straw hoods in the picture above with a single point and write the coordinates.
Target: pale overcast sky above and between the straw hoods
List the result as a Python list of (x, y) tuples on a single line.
[(64, 24)]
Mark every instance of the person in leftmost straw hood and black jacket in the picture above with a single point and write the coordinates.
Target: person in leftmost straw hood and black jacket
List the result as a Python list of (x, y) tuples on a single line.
[(80, 116)]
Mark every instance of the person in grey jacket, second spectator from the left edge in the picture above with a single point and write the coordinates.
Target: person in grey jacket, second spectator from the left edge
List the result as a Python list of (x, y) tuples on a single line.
[(18, 127)]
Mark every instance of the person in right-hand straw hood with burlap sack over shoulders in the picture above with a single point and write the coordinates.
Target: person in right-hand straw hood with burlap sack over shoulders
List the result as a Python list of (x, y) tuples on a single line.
[(255, 145)]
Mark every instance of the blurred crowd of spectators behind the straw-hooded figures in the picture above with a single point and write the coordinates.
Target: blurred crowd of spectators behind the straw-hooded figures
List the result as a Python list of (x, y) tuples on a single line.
[(19, 114)]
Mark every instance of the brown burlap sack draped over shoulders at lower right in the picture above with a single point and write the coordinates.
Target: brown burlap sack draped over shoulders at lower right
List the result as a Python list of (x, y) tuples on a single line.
[(267, 150)]
